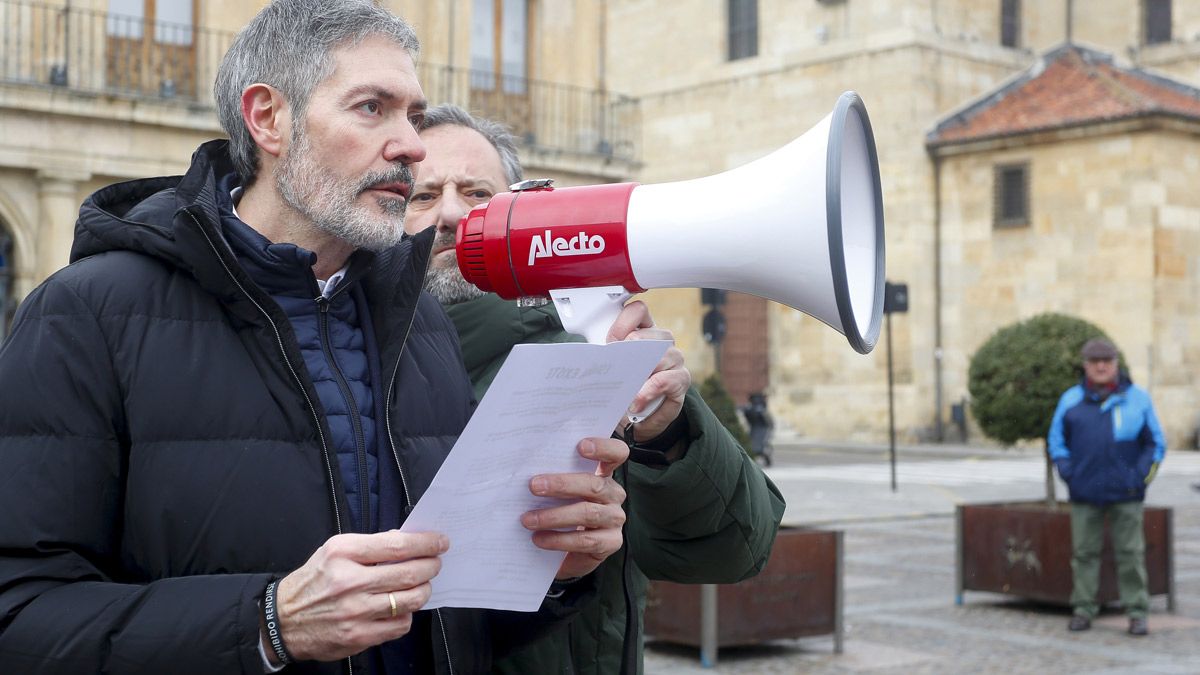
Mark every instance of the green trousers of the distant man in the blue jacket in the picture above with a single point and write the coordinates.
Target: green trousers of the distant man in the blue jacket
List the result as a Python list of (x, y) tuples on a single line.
[(1129, 545)]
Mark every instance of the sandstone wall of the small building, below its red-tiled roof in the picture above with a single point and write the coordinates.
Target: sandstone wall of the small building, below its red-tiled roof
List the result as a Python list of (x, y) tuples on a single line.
[(1113, 242)]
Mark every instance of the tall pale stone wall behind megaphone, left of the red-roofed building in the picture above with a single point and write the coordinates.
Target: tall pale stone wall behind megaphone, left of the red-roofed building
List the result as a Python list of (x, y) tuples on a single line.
[(721, 116)]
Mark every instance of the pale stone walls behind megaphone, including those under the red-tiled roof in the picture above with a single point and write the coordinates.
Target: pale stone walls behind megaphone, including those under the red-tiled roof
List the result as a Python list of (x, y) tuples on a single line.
[(916, 64)]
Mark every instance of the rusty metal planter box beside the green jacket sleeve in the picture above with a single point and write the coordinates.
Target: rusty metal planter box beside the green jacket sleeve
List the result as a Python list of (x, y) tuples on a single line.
[(799, 594)]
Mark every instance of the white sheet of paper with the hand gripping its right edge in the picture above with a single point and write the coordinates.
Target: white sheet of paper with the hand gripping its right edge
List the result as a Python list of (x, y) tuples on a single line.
[(543, 402)]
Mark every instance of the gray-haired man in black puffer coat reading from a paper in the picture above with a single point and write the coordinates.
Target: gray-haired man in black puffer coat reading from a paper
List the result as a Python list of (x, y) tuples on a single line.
[(214, 422)]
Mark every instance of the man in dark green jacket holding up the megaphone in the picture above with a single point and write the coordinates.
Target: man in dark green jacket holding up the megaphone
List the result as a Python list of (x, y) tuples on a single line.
[(700, 511)]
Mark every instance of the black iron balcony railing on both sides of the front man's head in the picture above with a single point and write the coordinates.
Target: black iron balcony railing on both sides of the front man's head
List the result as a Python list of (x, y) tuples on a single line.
[(95, 52)]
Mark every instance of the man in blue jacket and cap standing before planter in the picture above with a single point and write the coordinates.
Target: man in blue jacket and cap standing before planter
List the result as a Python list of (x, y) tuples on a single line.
[(1107, 444)]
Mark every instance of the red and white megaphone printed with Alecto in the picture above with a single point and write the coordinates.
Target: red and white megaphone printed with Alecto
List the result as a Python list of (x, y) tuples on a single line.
[(802, 226)]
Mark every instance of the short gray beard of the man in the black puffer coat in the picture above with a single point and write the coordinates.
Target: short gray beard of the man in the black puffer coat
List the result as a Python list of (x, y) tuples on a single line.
[(331, 204)]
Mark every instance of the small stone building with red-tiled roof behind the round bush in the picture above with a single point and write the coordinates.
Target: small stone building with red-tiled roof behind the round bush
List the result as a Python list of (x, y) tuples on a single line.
[(1071, 190)]
